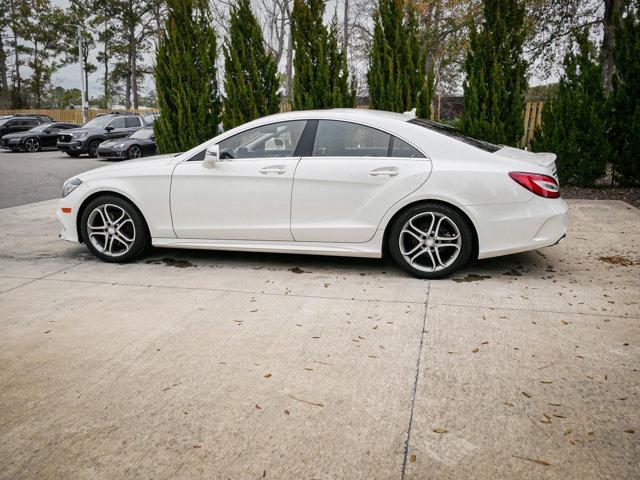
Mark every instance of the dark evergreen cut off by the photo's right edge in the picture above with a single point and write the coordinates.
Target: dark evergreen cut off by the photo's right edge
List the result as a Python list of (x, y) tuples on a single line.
[(624, 113)]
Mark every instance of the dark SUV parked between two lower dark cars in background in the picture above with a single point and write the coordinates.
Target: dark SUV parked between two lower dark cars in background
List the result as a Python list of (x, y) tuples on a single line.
[(103, 127)]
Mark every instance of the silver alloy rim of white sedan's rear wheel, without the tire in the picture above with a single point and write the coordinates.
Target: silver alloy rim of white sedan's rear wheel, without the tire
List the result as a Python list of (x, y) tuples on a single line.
[(430, 241)]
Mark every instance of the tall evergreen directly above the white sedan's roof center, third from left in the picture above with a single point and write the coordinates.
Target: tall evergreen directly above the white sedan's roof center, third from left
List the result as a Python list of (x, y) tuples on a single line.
[(320, 67)]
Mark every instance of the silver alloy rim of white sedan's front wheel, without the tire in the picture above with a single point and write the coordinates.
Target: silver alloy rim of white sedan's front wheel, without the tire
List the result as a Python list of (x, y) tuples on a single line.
[(111, 230)]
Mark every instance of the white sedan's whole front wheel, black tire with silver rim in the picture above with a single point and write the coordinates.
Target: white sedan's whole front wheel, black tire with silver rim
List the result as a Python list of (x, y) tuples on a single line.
[(113, 229)]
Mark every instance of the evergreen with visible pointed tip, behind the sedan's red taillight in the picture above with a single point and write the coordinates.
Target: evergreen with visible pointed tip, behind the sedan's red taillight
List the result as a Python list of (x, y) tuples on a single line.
[(573, 121)]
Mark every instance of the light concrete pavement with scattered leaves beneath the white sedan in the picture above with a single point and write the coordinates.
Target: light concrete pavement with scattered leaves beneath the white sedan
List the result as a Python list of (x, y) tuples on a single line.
[(192, 364)]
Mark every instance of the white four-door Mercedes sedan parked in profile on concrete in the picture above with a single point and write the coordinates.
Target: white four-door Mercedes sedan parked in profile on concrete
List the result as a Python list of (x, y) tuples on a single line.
[(331, 182)]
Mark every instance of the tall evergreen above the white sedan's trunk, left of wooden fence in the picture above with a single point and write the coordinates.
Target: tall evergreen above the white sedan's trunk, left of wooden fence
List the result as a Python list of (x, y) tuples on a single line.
[(496, 75)]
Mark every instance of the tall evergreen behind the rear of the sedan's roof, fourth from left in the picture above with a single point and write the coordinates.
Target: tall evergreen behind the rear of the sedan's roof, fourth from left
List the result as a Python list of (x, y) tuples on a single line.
[(397, 78)]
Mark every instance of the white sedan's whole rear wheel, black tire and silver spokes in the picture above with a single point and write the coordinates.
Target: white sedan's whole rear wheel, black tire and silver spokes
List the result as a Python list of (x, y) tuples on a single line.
[(425, 212)]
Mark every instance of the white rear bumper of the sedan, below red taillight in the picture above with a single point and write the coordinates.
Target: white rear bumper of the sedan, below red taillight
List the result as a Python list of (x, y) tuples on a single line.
[(513, 228)]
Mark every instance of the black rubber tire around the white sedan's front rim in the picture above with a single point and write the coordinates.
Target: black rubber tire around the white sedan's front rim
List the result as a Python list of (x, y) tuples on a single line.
[(140, 237)]
